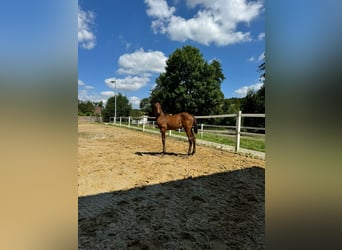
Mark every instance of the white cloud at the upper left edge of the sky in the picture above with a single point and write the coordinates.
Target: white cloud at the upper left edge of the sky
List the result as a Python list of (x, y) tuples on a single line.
[(86, 37)]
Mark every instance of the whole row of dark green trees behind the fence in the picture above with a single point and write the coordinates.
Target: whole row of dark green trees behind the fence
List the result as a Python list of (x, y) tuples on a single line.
[(190, 84)]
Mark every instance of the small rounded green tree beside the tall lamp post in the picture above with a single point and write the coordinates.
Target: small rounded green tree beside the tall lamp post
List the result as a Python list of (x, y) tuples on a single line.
[(123, 107)]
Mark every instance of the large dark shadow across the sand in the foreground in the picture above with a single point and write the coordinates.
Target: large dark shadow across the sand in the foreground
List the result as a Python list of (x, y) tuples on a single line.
[(218, 211)]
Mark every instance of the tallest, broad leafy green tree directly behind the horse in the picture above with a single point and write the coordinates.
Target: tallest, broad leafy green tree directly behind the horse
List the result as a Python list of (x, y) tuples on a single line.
[(190, 84)]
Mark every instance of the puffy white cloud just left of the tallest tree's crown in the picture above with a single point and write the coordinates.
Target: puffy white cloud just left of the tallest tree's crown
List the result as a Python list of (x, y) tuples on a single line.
[(141, 62)]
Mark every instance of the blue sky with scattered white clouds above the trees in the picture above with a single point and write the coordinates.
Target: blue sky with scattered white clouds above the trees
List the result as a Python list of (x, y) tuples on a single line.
[(129, 42)]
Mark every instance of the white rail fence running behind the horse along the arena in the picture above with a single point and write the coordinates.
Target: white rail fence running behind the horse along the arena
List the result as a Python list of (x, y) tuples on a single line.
[(235, 131)]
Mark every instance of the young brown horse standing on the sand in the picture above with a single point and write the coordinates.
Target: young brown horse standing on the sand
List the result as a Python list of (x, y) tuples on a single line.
[(177, 121)]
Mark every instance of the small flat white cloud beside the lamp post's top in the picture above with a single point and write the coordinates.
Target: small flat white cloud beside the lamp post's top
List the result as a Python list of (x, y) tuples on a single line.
[(128, 83)]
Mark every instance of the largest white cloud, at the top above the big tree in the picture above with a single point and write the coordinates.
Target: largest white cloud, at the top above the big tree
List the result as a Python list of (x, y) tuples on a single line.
[(215, 22)]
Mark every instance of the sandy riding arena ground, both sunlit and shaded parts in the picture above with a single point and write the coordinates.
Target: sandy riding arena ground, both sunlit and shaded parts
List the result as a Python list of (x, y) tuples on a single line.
[(132, 197)]
